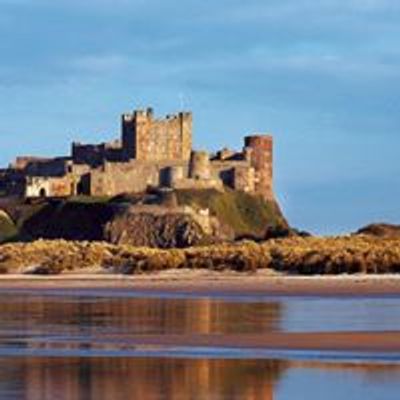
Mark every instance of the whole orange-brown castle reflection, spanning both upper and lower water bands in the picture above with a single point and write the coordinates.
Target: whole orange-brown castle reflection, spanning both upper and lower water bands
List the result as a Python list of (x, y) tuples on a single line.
[(34, 323)]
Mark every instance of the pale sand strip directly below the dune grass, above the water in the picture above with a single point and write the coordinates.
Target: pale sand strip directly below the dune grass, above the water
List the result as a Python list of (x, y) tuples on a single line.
[(205, 283)]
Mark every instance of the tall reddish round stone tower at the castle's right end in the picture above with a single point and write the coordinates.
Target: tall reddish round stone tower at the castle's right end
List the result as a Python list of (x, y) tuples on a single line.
[(261, 159)]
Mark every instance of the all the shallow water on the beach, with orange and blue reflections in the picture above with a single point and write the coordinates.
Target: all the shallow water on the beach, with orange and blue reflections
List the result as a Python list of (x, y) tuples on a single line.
[(81, 345)]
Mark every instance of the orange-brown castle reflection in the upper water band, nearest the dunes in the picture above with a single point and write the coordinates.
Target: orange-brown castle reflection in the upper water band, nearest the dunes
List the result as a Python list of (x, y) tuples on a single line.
[(41, 315)]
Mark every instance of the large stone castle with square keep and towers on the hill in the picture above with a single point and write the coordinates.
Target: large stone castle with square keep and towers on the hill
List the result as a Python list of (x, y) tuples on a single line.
[(152, 153)]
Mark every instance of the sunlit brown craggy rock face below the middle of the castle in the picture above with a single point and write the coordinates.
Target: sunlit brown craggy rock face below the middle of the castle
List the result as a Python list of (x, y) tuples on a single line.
[(152, 230)]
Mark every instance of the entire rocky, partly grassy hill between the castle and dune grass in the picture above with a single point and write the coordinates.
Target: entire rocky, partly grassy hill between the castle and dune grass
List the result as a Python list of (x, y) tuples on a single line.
[(153, 219)]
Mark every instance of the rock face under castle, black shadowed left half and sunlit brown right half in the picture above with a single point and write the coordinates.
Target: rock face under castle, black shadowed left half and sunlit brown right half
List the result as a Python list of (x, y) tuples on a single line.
[(150, 226)]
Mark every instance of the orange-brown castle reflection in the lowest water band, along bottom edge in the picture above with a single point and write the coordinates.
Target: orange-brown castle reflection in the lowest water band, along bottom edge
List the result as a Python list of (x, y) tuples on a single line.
[(145, 379)]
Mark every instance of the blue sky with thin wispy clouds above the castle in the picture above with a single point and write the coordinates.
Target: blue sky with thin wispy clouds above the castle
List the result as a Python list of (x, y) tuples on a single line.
[(321, 76)]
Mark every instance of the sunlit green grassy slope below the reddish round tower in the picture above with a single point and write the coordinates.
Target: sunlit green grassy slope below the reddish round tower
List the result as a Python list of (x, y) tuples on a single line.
[(245, 214)]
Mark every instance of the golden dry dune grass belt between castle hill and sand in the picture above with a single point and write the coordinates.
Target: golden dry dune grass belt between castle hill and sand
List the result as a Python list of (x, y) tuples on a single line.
[(296, 256)]
